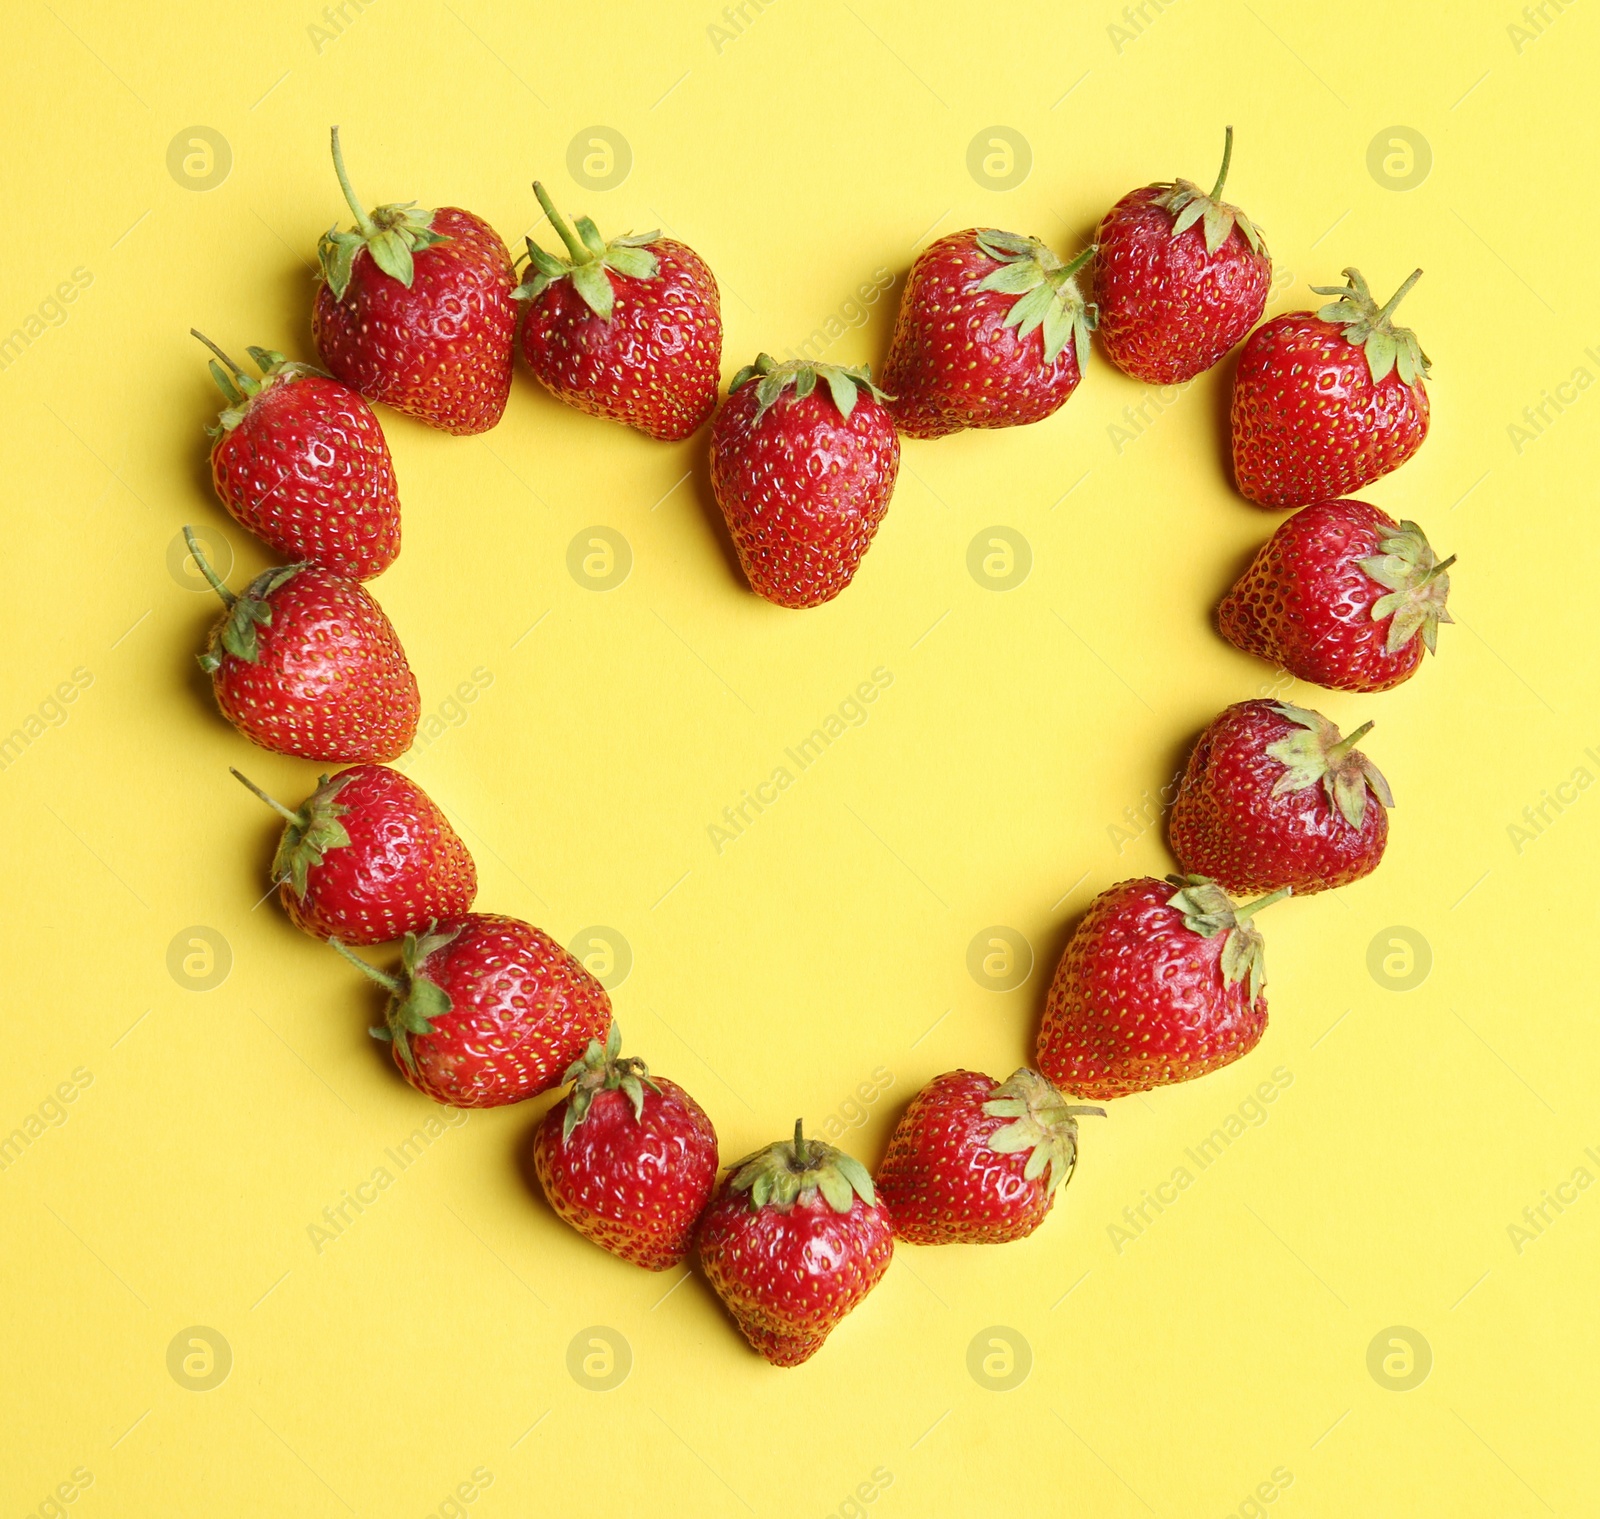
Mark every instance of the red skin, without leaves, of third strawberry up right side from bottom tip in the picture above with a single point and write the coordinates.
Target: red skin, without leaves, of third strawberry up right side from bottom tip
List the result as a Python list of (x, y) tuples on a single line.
[(1228, 825)]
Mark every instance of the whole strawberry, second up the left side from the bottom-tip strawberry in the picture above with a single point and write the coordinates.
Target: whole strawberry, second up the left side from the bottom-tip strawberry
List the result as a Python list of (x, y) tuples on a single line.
[(487, 1011)]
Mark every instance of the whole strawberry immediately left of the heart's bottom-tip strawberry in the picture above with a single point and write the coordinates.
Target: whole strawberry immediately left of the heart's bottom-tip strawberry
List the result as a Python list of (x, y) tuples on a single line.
[(628, 1160)]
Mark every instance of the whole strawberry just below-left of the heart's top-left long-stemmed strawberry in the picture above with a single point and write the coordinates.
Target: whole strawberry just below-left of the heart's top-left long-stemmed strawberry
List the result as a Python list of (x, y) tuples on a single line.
[(302, 462)]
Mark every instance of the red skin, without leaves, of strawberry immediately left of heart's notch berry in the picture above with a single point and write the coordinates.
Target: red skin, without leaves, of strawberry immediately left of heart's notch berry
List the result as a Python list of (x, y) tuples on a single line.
[(654, 366)]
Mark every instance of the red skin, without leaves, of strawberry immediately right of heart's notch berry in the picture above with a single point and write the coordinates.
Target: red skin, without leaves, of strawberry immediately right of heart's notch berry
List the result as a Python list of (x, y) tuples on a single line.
[(954, 363)]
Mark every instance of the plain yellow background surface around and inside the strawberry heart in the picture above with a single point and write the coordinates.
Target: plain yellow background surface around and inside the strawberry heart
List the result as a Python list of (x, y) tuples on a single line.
[(1247, 1341)]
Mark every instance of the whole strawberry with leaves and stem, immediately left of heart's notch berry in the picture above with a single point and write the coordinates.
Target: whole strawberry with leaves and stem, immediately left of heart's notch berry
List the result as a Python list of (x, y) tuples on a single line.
[(628, 331)]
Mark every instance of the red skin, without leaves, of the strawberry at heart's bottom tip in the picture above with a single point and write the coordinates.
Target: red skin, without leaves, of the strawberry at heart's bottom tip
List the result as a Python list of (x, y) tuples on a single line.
[(790, 1278)]
